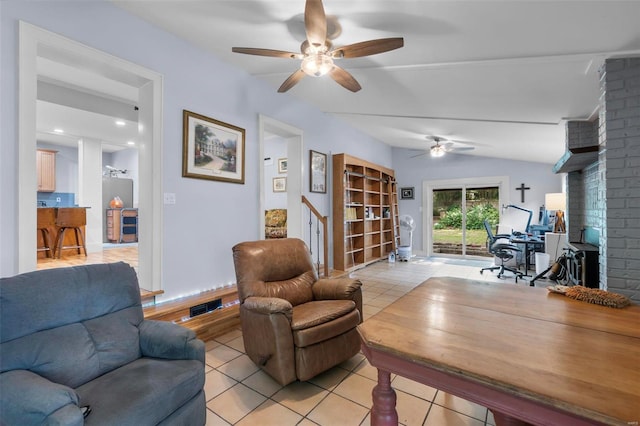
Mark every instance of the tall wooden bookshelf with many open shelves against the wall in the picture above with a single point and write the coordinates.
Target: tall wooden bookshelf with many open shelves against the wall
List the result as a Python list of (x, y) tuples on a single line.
[(364, 212)]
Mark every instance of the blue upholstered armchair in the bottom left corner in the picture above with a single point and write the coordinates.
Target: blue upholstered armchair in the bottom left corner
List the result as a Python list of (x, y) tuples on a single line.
[(75, 337)]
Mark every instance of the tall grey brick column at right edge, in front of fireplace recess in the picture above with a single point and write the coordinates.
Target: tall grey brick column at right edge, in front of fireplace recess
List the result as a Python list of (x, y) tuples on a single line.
[(619, 168)]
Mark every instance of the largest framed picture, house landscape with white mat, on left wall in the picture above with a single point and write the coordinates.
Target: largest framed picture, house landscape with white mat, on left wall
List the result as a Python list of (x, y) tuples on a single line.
[(211, 149)]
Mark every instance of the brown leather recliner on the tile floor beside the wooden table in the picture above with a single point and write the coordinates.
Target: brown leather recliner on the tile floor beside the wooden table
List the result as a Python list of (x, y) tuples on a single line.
[(294, 325)]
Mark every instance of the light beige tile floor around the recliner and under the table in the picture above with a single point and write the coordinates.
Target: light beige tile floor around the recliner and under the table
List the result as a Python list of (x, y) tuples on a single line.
[(239, 393)]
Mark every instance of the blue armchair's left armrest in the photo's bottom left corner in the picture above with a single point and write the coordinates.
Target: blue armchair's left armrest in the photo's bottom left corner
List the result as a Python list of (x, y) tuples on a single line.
[(28, 398)]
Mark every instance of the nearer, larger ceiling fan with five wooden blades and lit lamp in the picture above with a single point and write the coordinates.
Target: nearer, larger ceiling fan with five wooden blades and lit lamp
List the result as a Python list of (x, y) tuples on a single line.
[(318, 53)]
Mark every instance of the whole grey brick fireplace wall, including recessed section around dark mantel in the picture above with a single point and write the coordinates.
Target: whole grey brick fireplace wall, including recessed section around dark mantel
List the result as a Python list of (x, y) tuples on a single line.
[(606, 194)]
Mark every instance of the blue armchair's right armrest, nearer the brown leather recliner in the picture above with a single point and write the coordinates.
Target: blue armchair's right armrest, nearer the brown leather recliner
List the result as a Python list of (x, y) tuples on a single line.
[(161, 339)]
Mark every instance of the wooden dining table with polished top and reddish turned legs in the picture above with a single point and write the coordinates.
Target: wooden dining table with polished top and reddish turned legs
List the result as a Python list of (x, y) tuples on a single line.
[(530, 356)]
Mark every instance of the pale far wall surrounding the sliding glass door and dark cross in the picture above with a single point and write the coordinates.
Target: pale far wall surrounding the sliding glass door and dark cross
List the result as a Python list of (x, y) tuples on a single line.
[(412, 172)]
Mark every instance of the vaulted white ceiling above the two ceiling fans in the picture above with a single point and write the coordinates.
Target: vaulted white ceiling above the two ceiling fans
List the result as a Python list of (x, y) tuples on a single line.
[(502, 76)]
